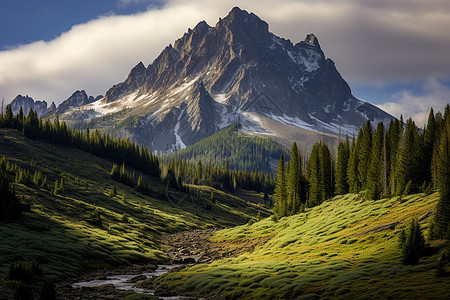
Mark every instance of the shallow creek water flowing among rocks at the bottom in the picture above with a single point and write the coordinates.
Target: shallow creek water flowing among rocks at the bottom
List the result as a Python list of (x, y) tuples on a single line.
[(121, 282)]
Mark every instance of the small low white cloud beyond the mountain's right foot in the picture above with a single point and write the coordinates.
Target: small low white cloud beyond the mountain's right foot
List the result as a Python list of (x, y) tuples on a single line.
[(433, 94)]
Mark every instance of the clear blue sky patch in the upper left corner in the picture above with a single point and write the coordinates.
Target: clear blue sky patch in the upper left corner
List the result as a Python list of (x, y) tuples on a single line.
[(25, 21)]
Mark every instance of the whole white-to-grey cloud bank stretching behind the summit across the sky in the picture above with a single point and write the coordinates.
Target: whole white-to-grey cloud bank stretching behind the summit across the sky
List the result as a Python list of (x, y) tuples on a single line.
[(373, 42)]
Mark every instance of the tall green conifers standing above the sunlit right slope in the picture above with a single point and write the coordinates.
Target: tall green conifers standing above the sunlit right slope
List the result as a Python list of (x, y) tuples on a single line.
[(395, 161)]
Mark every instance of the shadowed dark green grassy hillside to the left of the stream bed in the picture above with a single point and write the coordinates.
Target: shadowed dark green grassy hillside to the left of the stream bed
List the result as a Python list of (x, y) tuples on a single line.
[(61, 232)]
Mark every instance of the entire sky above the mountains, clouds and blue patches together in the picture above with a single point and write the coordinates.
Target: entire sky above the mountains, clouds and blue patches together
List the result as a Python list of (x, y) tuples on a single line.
[(393, 53)]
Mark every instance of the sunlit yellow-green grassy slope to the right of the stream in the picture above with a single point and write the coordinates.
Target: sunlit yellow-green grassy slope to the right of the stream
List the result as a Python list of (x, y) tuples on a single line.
[(339, 249)]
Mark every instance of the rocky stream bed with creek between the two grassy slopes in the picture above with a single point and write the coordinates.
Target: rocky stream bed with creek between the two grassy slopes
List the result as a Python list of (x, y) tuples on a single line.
[(183, 249)]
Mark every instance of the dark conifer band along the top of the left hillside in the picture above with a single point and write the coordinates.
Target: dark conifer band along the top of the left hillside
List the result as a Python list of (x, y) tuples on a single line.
[(177, 170)]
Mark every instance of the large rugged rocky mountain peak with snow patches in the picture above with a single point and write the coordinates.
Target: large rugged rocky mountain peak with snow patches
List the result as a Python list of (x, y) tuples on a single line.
[(214, 75)]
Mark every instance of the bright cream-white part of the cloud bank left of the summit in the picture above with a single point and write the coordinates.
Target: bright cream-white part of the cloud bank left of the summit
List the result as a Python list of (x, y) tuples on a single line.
[(92, 56)]
